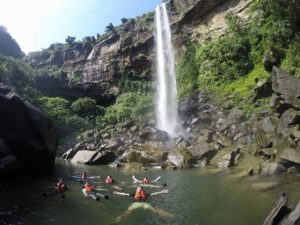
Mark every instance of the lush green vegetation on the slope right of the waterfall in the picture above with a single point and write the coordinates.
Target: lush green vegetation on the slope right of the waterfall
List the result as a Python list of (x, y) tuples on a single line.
[(232, 63)]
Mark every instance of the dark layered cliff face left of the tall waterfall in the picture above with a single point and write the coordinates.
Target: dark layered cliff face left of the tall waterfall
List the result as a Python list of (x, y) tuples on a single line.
[(93, 67)]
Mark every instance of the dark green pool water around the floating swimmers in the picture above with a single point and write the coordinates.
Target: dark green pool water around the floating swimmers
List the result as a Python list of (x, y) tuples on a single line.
[(196, 197)]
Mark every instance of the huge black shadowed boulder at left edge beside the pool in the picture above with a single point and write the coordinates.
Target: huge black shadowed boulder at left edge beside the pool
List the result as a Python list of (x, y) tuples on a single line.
[(27, 136)]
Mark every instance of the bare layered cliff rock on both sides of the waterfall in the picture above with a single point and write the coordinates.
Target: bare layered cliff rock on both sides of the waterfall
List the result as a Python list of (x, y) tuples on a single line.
[(95, 69)]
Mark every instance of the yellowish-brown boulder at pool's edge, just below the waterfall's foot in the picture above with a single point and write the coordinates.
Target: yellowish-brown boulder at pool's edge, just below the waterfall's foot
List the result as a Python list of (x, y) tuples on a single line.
[(181, 158)]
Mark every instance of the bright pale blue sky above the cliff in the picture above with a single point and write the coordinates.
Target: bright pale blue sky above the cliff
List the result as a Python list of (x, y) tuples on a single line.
[(35, 24)]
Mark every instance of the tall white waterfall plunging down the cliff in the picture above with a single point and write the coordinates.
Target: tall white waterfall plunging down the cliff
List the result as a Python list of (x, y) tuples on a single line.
[(166, 102)]
